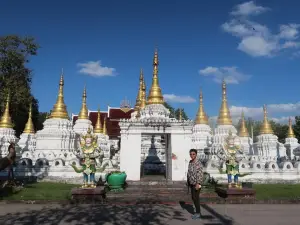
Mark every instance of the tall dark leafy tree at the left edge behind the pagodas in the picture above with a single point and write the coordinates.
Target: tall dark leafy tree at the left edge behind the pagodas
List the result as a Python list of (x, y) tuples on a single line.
[(16, 78)]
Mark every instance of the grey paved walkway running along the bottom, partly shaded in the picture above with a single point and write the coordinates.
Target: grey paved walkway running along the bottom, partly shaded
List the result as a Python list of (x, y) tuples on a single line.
[(31, 214)]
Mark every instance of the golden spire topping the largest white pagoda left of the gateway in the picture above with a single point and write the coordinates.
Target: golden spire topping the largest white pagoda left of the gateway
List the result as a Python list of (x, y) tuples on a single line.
[(59, 110)]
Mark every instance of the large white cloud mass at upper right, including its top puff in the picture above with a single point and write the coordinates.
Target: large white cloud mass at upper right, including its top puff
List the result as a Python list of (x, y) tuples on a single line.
[(256, 39)]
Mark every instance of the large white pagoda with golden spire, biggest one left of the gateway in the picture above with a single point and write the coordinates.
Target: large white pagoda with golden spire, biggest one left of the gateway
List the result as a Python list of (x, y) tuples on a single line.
[(55, 142)]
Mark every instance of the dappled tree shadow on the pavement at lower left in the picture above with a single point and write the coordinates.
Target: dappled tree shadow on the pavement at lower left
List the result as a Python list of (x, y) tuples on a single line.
[(96, 214)]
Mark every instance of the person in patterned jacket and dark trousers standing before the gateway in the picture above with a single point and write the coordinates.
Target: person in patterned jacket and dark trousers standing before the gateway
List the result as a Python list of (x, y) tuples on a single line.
[(194, 179)]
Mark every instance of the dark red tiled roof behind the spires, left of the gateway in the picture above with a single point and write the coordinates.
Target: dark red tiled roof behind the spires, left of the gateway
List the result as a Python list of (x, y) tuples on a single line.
[(112, 122)]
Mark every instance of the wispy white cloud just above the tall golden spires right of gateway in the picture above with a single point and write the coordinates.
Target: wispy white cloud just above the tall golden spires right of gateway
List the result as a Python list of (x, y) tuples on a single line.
[(230, 74)]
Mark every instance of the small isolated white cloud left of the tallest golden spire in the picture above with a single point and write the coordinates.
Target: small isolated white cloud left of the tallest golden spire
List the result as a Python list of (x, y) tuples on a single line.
[(94, 68)]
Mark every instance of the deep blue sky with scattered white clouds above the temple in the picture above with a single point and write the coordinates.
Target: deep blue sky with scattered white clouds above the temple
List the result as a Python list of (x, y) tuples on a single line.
[(253, 45)]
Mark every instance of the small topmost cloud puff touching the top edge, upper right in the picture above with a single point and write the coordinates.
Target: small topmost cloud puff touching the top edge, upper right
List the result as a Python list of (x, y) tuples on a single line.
[(247, 9)]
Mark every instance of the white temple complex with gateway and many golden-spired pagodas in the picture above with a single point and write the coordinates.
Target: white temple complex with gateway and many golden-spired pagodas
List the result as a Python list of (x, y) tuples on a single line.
[(145, 141)]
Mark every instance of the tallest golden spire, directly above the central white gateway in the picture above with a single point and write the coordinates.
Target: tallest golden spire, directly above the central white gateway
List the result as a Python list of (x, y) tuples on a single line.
[(155, 95)]
